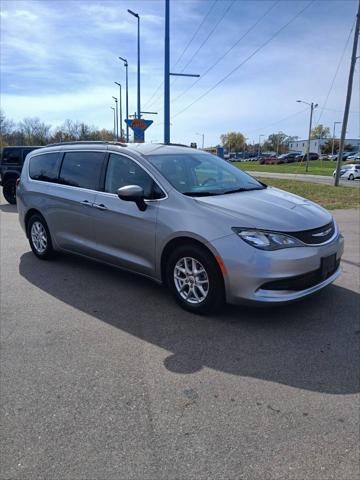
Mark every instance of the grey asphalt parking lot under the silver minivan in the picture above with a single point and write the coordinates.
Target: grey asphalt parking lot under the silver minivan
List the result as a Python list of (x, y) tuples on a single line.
[(104, 377)]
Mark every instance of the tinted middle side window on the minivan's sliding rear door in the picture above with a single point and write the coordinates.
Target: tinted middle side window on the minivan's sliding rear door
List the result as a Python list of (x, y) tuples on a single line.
[(82, 169)]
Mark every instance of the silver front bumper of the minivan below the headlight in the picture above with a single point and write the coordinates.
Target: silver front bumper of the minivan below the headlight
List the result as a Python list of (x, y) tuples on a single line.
[(248, 270)]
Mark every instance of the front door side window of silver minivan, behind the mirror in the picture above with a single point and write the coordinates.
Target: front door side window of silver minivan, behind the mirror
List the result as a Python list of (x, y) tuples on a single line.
[(122, 171)]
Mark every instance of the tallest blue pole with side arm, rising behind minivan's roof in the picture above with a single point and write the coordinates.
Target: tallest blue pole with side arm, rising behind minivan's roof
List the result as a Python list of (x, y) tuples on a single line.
[(167, 74)]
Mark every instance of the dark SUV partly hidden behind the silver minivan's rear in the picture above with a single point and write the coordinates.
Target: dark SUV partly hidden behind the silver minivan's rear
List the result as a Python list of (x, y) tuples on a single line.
[(11, 162)]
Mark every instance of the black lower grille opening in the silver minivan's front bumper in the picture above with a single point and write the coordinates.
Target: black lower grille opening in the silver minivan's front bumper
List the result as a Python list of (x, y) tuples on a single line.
[(301, 282)]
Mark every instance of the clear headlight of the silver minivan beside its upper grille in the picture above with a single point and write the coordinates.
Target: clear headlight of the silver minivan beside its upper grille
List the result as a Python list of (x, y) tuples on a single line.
[(265, 240)]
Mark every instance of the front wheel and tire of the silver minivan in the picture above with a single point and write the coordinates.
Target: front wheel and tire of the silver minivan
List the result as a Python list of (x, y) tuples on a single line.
[(194, 277)]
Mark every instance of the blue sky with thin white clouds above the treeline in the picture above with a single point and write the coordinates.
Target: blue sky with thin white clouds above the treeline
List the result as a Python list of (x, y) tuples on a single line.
[(59, 60)]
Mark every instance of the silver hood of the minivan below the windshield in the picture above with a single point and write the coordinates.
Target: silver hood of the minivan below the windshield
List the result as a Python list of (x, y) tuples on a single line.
[(268, 209)]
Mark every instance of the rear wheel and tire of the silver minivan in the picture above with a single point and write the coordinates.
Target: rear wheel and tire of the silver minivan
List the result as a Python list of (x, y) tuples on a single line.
[(39, 237)]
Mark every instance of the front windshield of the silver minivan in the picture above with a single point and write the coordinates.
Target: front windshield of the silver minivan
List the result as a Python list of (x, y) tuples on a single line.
[(202, 174)]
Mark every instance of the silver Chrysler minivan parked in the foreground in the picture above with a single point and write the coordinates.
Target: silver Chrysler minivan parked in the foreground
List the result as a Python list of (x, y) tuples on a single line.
[(180, 216)]
